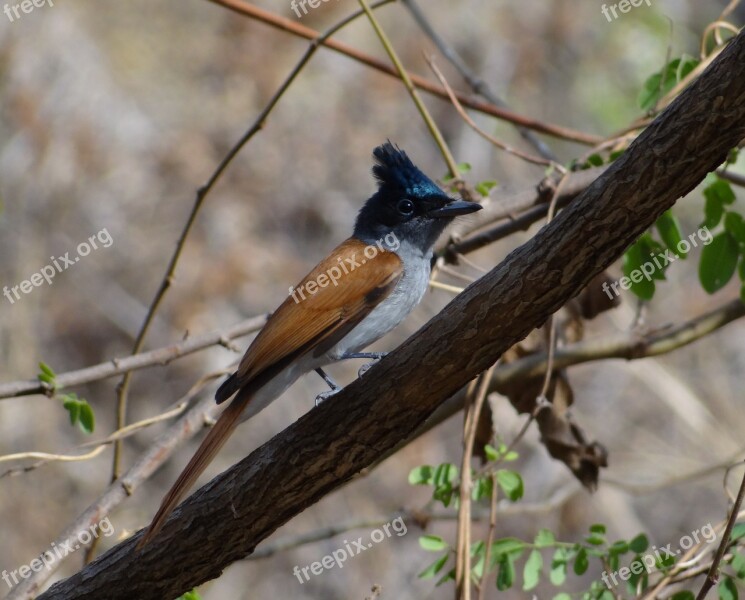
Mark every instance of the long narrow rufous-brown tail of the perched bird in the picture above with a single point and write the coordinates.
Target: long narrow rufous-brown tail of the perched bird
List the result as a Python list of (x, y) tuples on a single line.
[(211, 445)]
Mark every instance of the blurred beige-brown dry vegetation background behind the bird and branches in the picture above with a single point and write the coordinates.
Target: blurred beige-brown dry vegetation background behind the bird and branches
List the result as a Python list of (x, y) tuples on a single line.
[(113, 113)]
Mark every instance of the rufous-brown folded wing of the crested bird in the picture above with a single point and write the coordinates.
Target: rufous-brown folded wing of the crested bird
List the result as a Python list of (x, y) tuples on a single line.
[(313, 317)]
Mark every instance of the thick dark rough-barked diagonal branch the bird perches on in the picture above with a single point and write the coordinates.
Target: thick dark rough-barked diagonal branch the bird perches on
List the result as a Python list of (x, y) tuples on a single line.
[(228, 517)]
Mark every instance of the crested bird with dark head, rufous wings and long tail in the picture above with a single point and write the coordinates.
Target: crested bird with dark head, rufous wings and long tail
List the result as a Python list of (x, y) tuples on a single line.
[(362, 290)]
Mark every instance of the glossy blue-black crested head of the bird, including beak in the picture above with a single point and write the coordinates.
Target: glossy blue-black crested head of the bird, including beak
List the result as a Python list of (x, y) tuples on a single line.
[(407, 203)]
